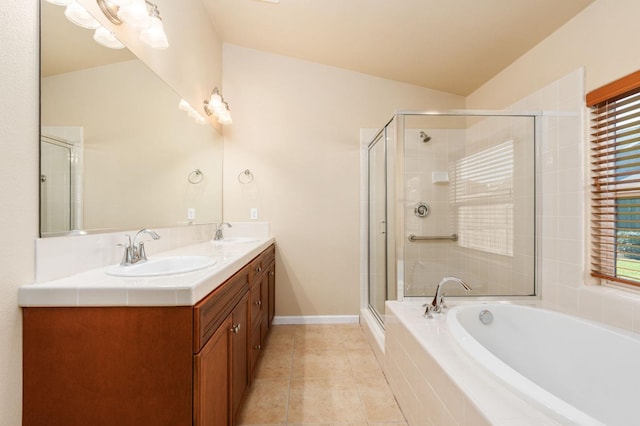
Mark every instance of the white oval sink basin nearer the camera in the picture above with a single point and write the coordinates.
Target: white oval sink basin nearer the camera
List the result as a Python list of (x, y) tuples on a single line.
[(163, 266)]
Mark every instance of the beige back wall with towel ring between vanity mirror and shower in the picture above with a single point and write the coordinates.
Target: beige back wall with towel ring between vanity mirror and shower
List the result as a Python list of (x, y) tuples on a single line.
[(296, 127)]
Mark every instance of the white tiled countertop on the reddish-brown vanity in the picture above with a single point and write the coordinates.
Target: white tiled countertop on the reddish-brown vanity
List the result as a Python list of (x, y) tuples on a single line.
[(96, 288)]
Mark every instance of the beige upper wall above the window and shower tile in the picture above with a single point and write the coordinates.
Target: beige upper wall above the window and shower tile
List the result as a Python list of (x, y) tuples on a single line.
[(606, 27)]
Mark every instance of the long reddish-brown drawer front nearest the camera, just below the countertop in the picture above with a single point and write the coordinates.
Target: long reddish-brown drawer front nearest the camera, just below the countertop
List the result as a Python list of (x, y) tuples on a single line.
[(211, 311)]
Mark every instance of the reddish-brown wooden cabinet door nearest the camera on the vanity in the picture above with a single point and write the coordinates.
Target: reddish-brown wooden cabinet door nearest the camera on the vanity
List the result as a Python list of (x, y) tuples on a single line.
[(211, 380)]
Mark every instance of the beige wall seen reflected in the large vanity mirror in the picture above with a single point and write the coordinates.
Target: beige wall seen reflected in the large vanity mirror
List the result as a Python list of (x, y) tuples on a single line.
[(139, 148)]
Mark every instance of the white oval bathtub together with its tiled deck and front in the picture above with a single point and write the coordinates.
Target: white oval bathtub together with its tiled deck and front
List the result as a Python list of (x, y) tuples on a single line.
[(527, 366)]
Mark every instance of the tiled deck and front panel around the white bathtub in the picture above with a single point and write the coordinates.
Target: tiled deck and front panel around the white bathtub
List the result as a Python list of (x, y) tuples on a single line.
[(435, 382)]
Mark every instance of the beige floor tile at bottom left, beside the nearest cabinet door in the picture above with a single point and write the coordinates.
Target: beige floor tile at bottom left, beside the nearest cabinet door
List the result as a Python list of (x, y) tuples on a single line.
[(266, 403)]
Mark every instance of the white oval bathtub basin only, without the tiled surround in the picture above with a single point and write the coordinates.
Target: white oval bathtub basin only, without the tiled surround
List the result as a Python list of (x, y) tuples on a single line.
[(585, 372)]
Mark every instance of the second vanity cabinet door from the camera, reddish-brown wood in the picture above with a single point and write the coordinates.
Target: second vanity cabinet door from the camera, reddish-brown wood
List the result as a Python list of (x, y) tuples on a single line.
[(239, 349)]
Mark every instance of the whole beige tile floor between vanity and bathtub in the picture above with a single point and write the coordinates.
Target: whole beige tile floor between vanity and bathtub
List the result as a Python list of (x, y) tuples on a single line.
[(319, 375)]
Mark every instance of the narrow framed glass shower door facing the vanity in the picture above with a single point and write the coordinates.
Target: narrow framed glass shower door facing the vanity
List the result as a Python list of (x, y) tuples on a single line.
[(377, 193)]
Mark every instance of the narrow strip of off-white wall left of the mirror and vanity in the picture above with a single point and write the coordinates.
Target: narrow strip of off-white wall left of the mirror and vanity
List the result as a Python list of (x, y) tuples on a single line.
[(18, 188)]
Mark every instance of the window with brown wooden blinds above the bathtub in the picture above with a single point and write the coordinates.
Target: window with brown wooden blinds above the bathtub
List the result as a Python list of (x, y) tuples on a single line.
[(615, 180)]
